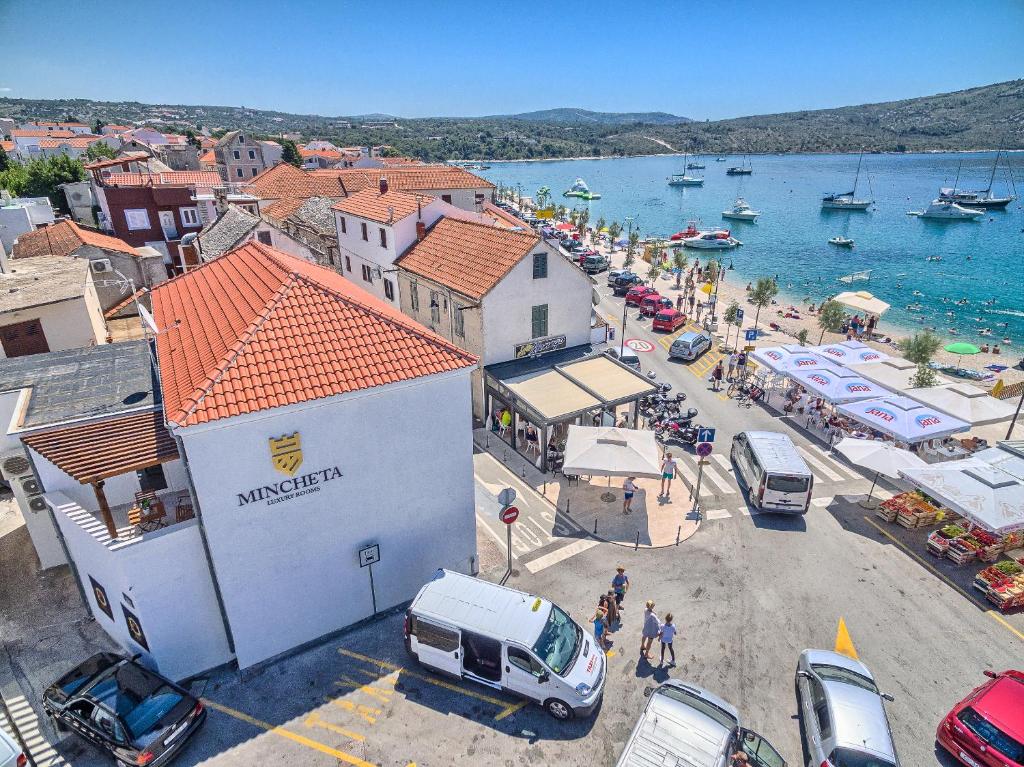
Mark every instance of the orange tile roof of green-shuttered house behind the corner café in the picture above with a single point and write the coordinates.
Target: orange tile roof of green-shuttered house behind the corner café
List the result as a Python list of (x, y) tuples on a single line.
[(471, 259)]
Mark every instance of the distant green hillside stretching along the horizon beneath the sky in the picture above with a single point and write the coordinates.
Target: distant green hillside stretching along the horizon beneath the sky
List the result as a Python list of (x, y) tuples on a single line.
[(977, 118)]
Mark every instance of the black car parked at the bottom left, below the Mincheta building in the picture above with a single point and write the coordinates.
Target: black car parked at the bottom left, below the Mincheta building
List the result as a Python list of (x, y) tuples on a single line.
[(138, 716)]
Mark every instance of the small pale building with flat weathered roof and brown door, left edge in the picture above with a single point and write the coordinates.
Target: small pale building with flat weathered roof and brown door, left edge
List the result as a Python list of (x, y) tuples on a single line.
[(48, 305)]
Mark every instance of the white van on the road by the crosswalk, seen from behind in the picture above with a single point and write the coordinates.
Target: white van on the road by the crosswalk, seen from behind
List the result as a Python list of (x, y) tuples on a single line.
[(775, 473)]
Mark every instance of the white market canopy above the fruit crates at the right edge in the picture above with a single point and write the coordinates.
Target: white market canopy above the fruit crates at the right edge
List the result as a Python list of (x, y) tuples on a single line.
[(988, 489)]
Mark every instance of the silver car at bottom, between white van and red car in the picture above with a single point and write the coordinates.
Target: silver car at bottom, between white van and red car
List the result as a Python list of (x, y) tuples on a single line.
[(845, 722)]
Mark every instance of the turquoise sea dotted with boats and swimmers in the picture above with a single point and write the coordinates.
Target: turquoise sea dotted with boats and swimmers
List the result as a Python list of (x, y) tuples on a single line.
[(982, 261)]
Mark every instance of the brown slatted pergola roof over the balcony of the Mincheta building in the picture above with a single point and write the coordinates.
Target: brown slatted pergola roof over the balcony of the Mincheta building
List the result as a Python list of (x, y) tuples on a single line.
[(99, 450)]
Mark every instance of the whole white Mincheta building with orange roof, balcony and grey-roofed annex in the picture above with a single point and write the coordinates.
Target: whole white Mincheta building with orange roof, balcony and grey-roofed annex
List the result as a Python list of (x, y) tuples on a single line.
[(197, 517)]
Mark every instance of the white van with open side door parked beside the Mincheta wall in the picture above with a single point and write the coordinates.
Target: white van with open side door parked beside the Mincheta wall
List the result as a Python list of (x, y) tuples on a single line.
[(503, 638)]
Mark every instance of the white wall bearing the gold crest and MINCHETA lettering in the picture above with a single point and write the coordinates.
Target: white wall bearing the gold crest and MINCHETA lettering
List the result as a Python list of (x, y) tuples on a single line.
[(289, 571)]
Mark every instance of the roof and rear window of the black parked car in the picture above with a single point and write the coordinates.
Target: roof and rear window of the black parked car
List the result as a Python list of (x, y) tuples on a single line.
[(140, 699)]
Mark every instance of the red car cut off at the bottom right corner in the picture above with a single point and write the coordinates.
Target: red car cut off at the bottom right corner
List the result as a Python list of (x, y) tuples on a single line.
[(987, 729)]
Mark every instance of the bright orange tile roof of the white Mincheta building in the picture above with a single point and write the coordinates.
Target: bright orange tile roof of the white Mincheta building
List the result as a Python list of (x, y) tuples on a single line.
[(259, 329)]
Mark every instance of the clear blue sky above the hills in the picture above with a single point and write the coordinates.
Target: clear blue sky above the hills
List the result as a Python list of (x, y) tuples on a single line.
[(712, 60)]
